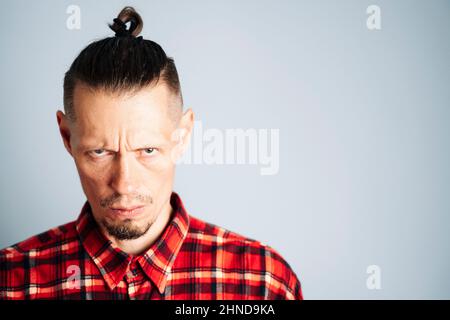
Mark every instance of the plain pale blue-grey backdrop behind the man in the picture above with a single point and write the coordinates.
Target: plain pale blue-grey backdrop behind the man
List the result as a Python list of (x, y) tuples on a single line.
[(363, 118)]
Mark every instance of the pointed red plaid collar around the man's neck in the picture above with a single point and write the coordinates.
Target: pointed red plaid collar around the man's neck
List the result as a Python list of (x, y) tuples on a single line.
[(156, 262)]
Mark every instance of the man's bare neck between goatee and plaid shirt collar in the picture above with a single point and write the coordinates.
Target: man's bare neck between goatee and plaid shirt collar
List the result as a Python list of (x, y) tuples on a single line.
[(141, 244)]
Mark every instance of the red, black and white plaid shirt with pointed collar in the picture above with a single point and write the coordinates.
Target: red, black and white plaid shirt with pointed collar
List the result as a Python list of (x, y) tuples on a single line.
[(191, 260)]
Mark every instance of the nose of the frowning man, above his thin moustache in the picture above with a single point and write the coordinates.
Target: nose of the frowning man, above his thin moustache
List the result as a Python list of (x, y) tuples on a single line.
[(124, 175)]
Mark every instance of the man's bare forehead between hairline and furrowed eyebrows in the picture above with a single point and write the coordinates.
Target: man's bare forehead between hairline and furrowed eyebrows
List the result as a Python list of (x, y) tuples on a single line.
[(104, 115)]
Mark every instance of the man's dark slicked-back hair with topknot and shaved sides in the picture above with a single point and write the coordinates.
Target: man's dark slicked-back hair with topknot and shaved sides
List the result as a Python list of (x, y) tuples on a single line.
[(122, 63)]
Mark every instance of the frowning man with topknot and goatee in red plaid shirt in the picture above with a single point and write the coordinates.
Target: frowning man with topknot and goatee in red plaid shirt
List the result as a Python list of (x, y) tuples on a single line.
[(125, 128)]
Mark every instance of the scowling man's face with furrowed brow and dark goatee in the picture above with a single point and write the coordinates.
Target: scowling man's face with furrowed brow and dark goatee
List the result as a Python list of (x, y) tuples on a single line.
[(123, 149)]
